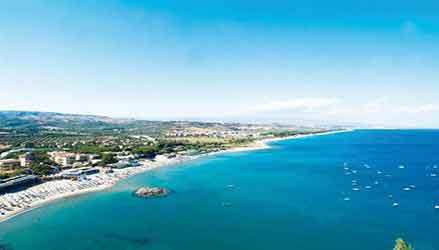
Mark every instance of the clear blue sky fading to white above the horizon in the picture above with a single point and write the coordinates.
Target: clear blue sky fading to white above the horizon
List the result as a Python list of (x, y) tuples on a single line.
[(342, 61)]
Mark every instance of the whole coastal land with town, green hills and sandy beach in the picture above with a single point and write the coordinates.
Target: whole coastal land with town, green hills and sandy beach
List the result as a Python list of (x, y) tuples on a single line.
[(52, 158)]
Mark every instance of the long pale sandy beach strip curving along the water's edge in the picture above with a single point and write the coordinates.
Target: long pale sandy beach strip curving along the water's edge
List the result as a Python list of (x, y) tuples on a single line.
[(44, 193)]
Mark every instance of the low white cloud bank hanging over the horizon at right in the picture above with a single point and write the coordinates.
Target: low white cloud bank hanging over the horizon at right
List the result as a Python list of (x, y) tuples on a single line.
[(380, 111)]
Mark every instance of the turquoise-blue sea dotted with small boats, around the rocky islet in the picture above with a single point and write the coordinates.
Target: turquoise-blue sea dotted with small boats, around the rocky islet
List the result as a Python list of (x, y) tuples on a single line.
[(287, 197)]
